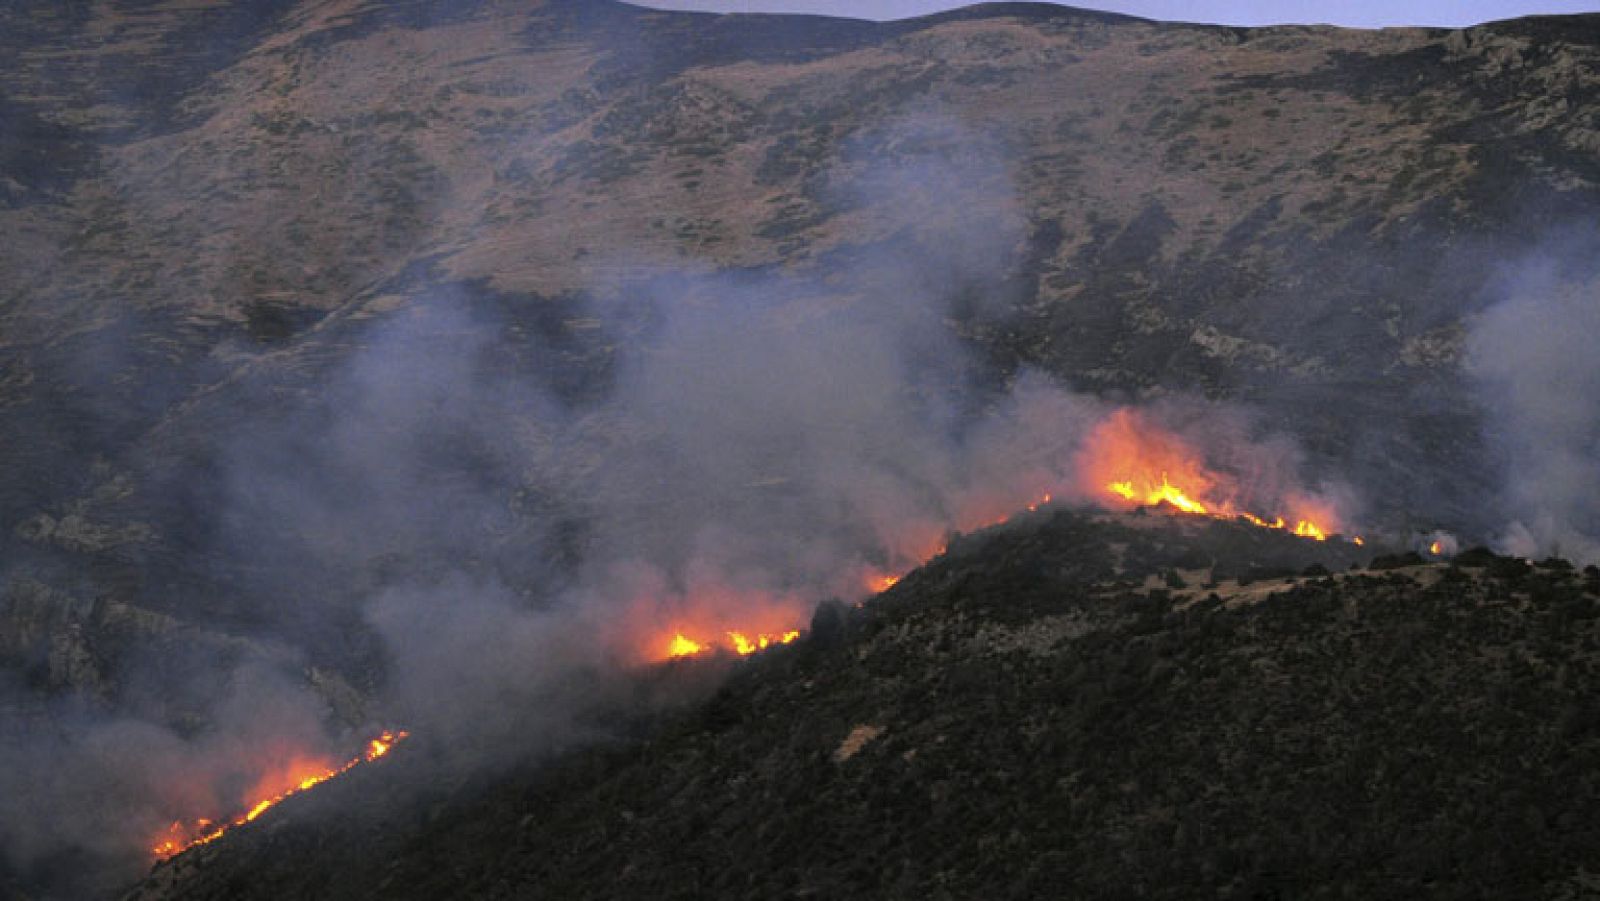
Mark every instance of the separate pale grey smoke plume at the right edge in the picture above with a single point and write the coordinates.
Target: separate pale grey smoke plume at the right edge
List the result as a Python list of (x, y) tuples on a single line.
[(1535, 358)]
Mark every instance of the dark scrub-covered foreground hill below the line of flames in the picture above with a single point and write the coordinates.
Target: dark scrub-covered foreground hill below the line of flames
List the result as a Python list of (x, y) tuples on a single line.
[(1065, 707)]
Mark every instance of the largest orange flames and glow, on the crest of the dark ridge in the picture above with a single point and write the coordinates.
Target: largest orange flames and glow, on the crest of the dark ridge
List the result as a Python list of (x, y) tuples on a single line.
[(1129, 462)]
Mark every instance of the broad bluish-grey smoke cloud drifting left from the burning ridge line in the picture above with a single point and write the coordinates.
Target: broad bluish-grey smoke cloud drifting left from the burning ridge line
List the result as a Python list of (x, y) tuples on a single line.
[(489, 511)]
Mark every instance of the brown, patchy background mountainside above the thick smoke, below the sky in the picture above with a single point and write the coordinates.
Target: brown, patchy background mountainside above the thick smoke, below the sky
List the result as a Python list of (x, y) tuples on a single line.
[(210, 207)]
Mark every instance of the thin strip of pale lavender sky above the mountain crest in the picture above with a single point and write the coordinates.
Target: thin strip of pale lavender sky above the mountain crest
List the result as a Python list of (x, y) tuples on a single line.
[(1351, 14)]
